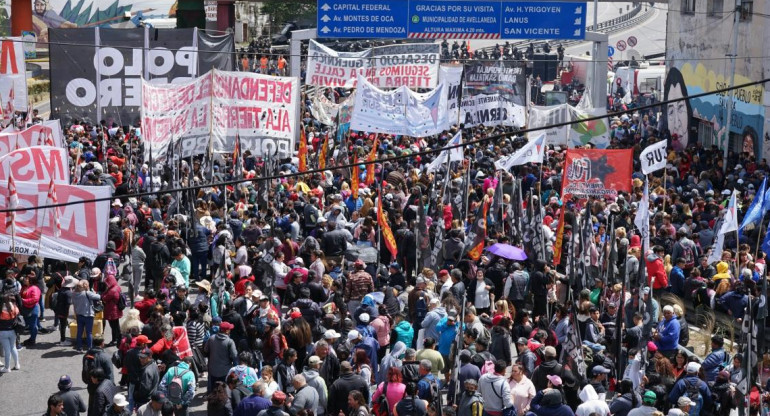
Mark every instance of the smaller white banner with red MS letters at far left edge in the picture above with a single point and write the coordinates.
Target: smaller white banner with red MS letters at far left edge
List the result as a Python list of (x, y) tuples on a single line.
[(39, 164)]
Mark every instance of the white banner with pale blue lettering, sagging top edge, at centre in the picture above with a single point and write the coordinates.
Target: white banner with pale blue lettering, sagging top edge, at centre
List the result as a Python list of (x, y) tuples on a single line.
[(401, 111)]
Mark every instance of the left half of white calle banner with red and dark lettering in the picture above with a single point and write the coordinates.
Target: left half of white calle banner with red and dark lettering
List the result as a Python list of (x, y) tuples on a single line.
[(329, 68)]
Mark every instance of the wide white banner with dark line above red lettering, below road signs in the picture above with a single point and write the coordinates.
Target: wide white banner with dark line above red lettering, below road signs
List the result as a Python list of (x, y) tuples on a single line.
[(414, 65)]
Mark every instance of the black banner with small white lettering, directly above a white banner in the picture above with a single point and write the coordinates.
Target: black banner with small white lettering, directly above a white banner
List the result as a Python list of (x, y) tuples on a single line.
[(496, 77)]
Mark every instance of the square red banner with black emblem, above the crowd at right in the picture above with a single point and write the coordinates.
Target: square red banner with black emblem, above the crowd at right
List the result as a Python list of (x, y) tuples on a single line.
[(597, 173)]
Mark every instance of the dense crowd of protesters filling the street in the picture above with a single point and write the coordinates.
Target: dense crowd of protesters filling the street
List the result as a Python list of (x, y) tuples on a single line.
[(280, 296)]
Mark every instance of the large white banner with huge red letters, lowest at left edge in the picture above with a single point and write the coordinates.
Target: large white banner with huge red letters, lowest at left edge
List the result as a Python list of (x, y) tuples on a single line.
[(84, 225)]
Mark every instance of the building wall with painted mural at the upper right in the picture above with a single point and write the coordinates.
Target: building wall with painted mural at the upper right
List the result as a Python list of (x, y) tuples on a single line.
[(696, 47)]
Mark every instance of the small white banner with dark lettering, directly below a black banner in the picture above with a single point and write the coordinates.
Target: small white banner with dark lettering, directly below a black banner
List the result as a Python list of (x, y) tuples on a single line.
[(491, 110)]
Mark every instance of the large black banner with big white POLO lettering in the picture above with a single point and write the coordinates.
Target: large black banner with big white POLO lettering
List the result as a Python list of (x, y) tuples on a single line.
[(113, 70)]
